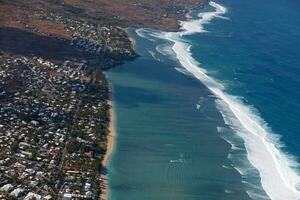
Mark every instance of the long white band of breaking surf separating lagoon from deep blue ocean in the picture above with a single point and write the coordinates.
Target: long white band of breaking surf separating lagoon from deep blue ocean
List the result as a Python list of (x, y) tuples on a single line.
[(278, 176)]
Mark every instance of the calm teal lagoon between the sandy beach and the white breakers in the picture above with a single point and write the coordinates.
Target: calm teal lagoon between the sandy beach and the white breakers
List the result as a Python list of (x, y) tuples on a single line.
[(168, 146)]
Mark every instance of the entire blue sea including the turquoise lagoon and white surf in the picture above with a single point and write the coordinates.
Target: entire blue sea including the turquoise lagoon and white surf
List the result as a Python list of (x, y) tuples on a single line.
[(211, 112)]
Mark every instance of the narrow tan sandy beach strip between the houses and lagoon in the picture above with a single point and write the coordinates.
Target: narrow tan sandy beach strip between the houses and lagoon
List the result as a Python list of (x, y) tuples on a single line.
[(110, 147)]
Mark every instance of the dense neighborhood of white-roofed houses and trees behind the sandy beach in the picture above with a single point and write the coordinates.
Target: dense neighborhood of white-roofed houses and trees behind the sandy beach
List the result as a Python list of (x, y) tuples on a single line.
[(53, 129)]
